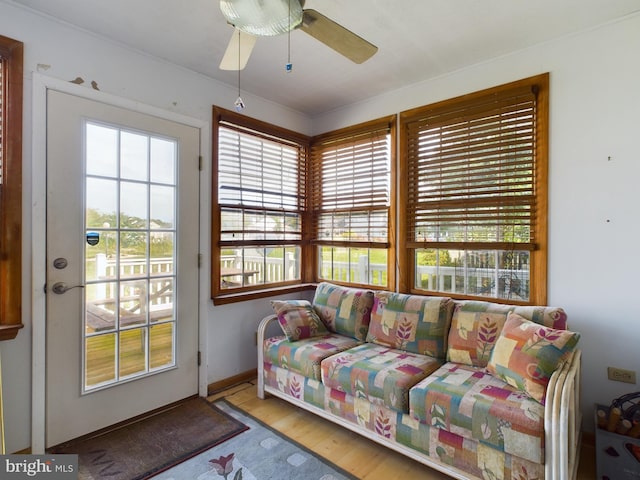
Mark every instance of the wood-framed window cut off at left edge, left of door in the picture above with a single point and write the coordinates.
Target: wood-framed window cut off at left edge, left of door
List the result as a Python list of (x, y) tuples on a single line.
[(11, 53)]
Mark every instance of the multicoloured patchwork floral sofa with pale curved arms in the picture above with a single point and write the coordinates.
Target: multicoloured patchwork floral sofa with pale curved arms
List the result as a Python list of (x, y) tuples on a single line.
[(473, 389)]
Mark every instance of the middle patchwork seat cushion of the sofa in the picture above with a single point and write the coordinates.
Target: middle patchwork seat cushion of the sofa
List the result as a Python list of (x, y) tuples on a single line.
[(379, 374)]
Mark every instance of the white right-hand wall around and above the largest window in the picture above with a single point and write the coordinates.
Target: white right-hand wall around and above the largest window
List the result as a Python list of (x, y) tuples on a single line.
[(594, 222)]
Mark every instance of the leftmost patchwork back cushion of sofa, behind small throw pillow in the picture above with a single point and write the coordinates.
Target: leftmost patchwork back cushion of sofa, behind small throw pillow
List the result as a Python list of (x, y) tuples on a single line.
[(343, 310)]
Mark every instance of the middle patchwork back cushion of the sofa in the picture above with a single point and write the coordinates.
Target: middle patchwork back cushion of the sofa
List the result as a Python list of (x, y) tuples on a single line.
[(413, 323)]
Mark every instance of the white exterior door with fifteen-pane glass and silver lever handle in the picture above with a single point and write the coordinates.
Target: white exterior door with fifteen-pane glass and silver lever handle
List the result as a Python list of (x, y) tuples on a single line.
[(122, 264)]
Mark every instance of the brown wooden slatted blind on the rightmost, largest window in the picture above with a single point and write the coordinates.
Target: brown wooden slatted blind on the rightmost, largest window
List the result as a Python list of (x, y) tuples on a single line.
[(471, 170)]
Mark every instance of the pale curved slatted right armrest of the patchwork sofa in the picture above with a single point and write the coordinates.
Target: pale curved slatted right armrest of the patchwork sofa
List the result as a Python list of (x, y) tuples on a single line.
[(563, 420)]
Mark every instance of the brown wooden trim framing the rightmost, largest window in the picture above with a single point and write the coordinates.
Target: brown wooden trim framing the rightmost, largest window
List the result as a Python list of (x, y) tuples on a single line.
[(538, 265)]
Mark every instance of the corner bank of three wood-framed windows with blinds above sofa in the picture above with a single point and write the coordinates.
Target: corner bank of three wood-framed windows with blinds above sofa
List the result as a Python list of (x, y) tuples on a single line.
[(471, 211)]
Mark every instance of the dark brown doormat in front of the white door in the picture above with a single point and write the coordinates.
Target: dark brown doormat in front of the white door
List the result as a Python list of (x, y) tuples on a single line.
[(141, 449)]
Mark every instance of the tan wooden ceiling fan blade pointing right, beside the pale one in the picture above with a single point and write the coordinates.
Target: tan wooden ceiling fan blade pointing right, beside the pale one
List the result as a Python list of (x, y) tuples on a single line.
[(335, 36)]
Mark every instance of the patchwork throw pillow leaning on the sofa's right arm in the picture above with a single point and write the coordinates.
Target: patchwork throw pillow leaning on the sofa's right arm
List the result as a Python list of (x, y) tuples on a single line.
[(526, 354)]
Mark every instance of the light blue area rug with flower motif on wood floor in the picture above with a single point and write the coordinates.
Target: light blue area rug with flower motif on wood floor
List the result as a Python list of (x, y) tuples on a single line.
[(259, 453)]
